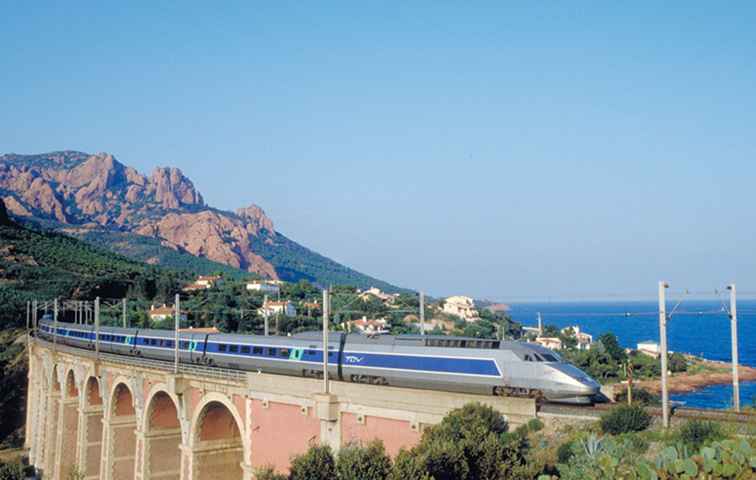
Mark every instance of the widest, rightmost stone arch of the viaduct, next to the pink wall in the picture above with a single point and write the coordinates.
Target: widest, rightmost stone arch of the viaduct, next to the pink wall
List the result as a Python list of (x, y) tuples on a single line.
[(218, 442)]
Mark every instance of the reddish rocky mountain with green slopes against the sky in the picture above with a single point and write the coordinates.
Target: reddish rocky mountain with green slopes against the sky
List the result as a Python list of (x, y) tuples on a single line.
[(84, 194)]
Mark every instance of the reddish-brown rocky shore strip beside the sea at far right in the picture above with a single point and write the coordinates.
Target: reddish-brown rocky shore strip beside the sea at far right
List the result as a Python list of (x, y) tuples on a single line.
[(717, 373)]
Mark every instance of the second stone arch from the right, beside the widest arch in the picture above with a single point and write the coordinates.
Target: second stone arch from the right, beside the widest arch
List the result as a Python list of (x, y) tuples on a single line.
[(162, 435)]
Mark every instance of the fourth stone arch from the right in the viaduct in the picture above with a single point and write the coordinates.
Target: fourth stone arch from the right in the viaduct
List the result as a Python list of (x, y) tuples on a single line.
[(91, 436)]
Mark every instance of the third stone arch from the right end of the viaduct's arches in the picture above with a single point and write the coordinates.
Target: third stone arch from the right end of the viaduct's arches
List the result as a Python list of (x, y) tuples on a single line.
[(121, 443)]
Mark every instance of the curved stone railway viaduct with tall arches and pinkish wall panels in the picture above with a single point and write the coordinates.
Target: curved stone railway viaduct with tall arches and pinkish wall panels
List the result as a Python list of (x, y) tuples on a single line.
[(116, 418)]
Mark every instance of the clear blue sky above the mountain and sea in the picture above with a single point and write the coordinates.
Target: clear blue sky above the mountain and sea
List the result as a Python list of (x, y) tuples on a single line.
[(492, 149)]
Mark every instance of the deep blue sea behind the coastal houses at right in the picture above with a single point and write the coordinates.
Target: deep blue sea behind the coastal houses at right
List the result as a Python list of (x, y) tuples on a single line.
[(698, 327)]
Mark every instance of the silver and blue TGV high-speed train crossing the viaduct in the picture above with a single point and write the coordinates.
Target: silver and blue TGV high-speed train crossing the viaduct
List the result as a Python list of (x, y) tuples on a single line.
[(459, 364)]
